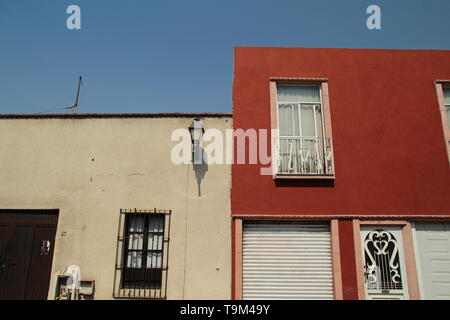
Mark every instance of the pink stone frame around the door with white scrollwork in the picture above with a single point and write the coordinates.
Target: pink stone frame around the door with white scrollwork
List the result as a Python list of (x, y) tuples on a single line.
[(408, 248)]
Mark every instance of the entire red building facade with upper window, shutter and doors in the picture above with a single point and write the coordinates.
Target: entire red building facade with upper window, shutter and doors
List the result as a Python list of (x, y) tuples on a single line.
[(357, 205)]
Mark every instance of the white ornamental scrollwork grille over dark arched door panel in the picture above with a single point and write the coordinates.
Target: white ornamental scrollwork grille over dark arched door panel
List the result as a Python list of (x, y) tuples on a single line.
[(382, 262)]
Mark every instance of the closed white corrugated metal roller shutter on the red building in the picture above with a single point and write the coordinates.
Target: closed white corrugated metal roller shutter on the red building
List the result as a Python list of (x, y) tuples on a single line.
[(287, 261)]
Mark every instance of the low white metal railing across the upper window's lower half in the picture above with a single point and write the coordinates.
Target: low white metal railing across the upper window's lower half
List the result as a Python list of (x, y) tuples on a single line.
[(304, 156)]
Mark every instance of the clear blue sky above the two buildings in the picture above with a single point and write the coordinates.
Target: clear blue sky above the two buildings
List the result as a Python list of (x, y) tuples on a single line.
[(177, 55)]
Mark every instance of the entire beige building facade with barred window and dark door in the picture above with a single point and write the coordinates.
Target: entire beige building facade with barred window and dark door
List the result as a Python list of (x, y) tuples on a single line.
[(91, 171)]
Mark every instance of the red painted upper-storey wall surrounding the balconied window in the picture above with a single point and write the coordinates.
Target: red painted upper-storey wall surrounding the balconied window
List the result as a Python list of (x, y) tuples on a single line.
[(389, 147)]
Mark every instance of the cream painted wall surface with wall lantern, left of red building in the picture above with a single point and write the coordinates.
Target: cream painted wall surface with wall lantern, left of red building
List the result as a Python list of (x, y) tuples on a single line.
[(91, 168)]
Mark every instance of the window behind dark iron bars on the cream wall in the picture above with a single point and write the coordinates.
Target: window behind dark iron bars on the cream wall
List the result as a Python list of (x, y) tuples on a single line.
[(141, 263)]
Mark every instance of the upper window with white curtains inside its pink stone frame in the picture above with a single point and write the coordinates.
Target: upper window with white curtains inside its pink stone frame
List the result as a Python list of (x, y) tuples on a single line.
[(302, 145)]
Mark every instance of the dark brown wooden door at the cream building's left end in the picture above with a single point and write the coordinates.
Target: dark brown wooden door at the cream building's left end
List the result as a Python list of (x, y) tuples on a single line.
[(26, 251)]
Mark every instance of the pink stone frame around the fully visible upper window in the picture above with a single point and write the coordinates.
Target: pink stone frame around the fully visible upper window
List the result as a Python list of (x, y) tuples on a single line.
[(322, 83)]
